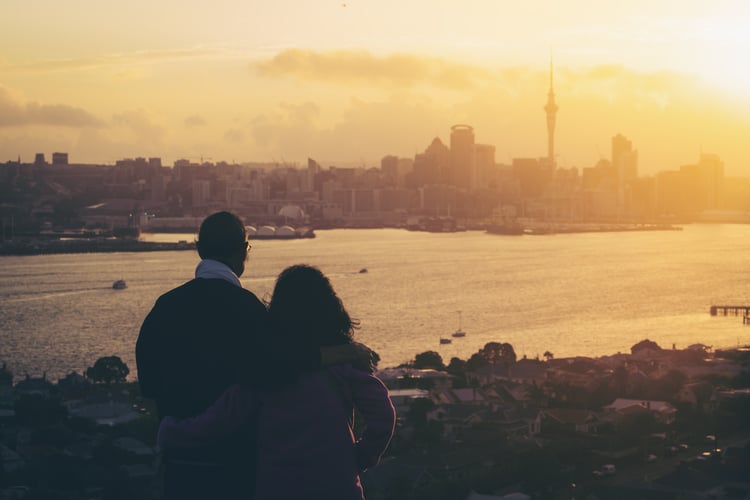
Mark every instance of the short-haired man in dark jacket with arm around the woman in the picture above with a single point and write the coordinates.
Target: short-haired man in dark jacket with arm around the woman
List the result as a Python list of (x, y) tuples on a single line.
[(199, 339)]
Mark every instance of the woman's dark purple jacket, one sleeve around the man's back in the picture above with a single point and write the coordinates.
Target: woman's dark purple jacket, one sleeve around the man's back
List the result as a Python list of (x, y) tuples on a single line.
[(306, 447)]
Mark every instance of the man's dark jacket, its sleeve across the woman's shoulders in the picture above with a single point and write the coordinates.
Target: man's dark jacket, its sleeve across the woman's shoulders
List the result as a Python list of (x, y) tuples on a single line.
[(198, 340)]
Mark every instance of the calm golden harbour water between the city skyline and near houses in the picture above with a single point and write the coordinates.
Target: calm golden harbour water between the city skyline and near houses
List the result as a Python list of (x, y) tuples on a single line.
[(573, 294)]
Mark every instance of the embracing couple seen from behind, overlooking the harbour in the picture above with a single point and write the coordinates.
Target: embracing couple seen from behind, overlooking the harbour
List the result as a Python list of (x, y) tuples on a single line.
[(255, 401)]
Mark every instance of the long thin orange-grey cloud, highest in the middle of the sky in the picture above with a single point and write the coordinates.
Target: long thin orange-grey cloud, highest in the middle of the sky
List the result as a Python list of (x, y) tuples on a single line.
[(347, 66)]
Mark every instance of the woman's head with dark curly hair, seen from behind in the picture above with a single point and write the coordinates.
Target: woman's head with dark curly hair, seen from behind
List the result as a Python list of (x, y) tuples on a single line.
[(305, 307)]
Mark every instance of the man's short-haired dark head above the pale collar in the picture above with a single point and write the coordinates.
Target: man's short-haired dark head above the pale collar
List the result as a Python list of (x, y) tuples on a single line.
[(222, 237)]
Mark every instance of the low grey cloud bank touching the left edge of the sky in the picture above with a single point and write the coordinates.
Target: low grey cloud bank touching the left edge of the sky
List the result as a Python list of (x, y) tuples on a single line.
[(15, 112)]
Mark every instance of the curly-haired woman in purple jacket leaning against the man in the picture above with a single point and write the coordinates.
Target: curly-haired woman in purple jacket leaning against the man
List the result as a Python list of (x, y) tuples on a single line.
[(306, 445)]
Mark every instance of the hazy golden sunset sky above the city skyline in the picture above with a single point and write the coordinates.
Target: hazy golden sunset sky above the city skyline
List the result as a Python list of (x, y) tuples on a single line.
[(349, 82)]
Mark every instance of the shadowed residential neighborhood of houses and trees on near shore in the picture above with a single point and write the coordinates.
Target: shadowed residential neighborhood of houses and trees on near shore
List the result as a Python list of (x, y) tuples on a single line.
[(652, 423)]
